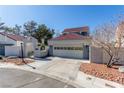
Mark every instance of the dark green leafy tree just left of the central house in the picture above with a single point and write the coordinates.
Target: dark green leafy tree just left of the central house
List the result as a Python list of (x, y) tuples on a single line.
[(43, 33)]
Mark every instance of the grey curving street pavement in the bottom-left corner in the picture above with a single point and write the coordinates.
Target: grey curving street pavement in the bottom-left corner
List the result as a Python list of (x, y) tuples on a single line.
[(12, 78)]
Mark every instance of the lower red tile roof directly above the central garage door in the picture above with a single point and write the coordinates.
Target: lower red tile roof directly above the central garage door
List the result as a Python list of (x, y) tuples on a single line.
[(71, 36)]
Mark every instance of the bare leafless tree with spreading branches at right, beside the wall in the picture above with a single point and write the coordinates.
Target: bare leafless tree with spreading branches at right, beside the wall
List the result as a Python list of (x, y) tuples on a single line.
[(106, 38)]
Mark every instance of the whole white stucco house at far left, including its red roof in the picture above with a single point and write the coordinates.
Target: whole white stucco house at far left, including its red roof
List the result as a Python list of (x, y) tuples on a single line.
[(10, 44)]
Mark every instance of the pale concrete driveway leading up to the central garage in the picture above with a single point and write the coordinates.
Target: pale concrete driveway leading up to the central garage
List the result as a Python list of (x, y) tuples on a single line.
[(61, 68)]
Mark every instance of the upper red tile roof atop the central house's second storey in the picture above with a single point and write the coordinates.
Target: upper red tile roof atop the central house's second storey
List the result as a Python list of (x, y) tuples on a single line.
[(78, 29)]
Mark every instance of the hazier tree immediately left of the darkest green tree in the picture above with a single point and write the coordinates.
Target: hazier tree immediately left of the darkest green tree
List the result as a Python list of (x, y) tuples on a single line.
[(30, 28)]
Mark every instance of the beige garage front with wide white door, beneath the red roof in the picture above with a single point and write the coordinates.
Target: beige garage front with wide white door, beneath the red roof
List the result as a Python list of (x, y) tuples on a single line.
[(70, 49)]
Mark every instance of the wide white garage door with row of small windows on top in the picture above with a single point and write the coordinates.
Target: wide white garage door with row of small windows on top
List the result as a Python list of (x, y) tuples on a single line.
[(69, 52)]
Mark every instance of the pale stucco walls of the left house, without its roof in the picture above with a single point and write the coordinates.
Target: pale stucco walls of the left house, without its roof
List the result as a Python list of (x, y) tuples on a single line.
[(15, 48)]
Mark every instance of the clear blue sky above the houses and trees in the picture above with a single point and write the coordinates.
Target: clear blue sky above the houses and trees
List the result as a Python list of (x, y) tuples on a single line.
[(60, 17)]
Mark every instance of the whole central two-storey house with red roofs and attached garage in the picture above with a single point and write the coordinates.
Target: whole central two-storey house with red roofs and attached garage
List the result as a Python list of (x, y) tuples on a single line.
[(73, 43)]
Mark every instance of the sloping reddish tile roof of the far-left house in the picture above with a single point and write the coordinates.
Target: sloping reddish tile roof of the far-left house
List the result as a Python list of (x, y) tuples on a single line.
[(14, 37)]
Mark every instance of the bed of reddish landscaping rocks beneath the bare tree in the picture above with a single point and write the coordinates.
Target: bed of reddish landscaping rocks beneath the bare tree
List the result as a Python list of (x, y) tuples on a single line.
[(102, 71)]
